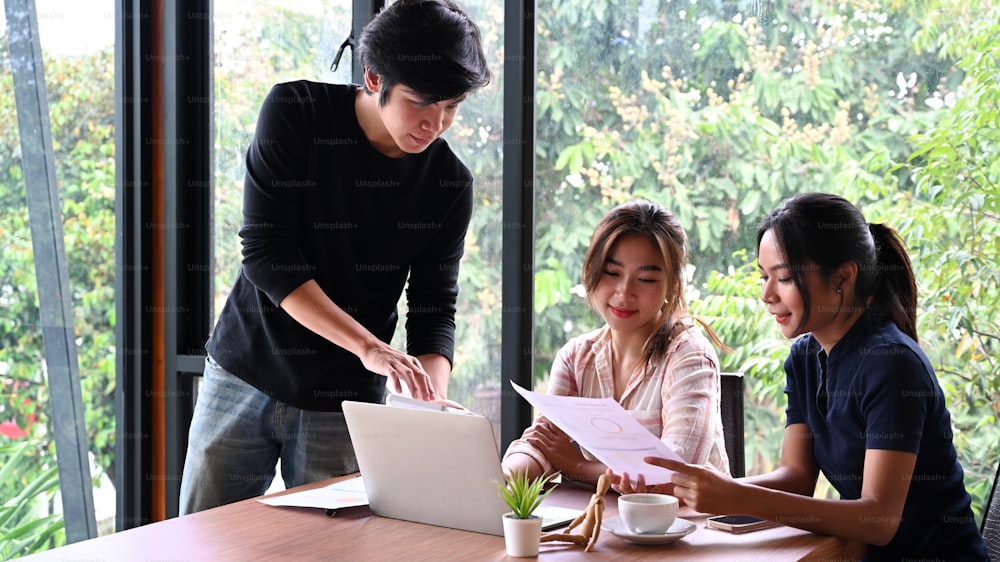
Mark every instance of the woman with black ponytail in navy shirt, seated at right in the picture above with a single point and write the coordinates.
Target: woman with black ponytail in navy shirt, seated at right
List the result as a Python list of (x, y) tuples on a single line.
[(864, 405)]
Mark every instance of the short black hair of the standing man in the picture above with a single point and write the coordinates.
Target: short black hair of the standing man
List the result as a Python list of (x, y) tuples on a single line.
[(431, 46)]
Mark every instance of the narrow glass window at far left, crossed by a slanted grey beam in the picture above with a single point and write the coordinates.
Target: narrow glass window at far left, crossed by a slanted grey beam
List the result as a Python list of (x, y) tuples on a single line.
[(77, 44)]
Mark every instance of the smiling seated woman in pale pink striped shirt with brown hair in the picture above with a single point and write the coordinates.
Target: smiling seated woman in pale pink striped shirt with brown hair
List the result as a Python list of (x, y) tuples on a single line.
[(651, 356)]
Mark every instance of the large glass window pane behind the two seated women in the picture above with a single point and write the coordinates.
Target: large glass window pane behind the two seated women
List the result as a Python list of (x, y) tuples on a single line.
[(719, 110)]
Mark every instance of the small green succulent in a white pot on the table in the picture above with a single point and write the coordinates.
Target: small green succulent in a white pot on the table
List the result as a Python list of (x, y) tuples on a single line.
[(522, 529)]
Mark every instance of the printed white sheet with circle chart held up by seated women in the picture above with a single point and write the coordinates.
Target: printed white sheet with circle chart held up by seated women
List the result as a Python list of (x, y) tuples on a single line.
[(607, 431)]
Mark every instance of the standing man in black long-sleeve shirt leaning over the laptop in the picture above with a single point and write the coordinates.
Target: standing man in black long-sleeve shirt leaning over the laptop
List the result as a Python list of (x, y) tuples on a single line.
[(350, 196)]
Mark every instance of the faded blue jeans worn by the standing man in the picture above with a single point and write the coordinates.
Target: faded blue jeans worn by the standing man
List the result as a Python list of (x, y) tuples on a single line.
[(237, 435)]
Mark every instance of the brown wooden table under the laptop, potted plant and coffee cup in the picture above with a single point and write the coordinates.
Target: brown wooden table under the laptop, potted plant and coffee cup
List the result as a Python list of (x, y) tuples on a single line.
[(250, 530)]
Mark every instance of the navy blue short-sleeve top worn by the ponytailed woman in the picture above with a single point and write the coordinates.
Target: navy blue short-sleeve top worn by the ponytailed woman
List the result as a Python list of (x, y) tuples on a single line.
[(881, 393)]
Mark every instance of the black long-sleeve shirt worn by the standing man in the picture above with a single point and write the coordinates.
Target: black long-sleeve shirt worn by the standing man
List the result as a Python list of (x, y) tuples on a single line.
[(320, 202)]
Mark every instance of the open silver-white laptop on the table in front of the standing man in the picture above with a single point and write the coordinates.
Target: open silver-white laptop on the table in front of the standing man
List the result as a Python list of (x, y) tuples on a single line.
[(433, 467)]
